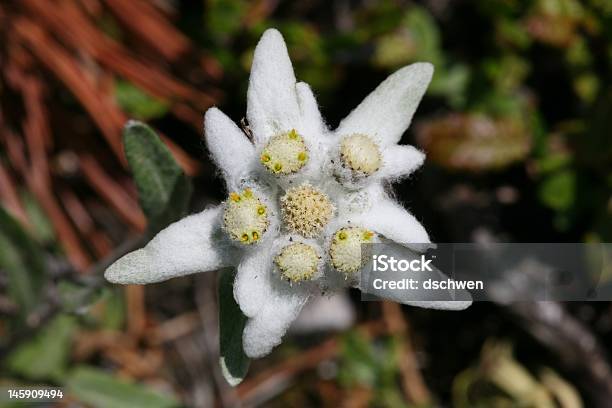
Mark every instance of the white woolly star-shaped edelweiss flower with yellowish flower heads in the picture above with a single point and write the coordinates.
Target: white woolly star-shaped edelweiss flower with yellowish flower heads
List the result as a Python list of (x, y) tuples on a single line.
[(302, 199)]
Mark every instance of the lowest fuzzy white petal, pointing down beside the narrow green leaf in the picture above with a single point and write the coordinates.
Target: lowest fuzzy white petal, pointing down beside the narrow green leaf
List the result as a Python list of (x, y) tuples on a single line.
[(265, 331)]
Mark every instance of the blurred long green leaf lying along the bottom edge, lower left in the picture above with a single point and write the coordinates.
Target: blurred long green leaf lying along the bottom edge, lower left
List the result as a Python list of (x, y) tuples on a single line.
[(97, 388)]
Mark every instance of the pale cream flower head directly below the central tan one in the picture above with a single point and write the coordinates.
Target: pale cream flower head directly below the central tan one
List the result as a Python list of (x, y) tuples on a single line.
[(297, 262)]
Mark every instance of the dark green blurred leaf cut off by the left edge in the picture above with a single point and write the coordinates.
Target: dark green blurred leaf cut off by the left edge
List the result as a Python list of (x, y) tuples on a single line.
[(23, 260)]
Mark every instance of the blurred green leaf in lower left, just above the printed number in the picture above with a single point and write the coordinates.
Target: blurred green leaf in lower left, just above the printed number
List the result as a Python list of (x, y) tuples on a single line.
[(46, 356)]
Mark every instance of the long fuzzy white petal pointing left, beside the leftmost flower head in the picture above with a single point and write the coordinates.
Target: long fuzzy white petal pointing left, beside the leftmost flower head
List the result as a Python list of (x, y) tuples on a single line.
[(188, 246)]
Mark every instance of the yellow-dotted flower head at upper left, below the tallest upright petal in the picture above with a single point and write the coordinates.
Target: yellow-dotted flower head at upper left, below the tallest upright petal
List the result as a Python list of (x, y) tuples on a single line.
[(285, 153)]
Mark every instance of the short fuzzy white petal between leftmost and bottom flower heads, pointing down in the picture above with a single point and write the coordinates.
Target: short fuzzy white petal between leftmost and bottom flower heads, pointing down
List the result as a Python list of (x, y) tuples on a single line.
[(252, 284)]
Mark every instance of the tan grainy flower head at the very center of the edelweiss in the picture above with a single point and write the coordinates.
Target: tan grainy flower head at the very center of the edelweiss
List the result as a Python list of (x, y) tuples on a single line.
[(306, 210)]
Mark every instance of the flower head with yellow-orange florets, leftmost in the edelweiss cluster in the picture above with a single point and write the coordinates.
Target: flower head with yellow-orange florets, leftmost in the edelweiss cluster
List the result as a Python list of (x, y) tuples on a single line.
[(245, 218)]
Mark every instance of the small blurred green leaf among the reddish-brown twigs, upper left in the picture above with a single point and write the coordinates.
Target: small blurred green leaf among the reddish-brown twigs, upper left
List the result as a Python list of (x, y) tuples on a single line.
[(137, 103)]
